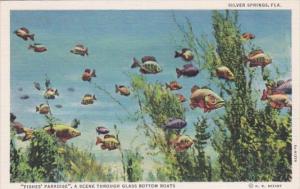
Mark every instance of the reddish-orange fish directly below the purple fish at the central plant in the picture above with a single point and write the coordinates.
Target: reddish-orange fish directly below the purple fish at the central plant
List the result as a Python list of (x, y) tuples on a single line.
[(181, 142)]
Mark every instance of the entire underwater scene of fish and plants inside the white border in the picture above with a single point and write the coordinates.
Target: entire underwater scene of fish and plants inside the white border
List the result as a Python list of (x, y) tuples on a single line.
[(151, 95)]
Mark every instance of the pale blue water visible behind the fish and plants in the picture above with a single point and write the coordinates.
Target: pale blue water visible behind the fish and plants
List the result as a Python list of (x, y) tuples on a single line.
[(113, 39)]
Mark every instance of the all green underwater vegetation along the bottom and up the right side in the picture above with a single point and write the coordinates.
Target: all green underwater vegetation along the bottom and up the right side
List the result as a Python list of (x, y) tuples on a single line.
[(251, 142)]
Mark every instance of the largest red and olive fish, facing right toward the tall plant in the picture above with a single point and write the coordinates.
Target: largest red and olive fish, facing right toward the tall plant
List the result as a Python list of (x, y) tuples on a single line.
[(205, 99)]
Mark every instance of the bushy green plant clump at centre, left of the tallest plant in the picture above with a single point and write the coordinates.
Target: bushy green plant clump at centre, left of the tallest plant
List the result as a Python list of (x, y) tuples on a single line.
[(157, 105)]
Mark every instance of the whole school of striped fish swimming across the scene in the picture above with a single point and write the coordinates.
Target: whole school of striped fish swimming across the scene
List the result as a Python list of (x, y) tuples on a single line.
[(276, 93)]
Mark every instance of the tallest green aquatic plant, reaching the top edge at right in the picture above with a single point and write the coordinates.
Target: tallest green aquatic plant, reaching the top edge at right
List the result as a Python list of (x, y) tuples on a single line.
[(252, 143)]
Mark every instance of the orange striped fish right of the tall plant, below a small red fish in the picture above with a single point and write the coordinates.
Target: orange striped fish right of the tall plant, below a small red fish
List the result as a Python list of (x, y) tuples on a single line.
[(258, 58)]
